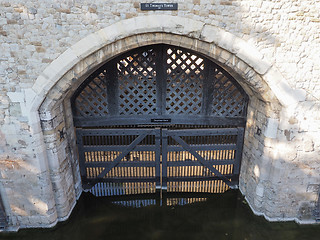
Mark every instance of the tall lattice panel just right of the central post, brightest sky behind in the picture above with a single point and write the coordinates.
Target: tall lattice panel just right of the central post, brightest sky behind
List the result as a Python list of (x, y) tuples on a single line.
[(184, 82)]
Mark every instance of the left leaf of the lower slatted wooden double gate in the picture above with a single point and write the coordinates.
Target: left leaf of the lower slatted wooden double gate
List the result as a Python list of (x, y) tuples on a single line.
[(126, 161)]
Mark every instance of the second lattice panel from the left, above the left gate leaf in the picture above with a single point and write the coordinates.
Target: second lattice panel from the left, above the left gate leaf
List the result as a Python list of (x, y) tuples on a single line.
[(137, 83)]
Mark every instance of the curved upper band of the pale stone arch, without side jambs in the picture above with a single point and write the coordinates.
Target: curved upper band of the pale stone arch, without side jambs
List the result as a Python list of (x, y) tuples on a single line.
[(217, 38)]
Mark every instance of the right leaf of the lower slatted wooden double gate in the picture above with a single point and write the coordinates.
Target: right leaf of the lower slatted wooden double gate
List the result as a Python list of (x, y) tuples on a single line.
[(201, 160)]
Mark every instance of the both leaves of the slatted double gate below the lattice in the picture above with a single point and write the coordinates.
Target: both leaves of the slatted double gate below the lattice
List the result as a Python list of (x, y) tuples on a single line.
[(135, 161)]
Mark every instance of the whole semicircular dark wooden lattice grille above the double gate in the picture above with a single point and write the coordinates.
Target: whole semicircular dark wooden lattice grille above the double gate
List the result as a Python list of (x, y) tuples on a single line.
[(159, 80)]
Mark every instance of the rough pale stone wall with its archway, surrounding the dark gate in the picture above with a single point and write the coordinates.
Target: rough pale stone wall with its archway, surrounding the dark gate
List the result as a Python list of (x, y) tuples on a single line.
[(48, 47)]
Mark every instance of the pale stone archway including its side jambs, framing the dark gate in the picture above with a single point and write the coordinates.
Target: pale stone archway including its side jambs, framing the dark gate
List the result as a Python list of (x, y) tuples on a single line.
[(50, 113)]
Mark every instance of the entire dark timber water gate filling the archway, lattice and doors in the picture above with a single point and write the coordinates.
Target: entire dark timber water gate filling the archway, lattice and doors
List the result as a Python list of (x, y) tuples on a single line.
[(159, 117)]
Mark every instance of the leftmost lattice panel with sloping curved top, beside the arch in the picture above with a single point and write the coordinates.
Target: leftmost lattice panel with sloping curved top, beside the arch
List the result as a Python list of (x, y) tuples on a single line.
[(92, 100)]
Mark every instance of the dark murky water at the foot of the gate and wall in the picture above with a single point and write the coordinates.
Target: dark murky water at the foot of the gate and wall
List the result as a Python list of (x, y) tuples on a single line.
[(224, 216)]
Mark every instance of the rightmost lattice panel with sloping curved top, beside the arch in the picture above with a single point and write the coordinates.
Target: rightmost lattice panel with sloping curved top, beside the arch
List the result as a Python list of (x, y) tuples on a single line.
[(228, 101)]
